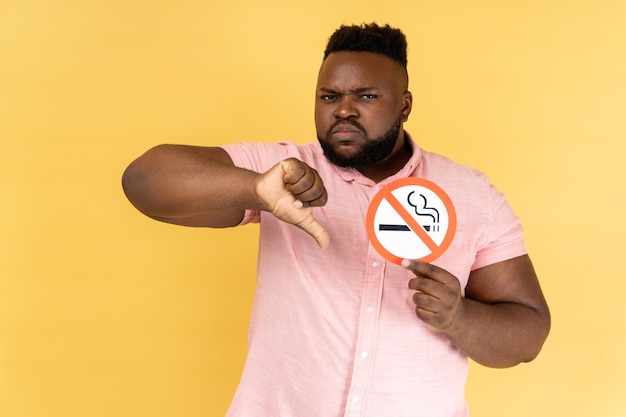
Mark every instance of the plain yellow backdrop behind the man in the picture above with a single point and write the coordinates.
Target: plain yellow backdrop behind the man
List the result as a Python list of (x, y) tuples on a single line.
[(106, 313)]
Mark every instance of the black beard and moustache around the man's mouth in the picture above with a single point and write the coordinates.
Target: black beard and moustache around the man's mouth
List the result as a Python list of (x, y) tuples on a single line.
[(372, 152)]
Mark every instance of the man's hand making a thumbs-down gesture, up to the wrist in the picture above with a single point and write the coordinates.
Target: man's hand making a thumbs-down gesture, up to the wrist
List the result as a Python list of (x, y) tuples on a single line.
[(290, 190)]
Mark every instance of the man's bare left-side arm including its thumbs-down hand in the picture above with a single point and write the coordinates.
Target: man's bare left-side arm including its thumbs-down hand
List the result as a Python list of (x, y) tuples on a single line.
[(200, 186)]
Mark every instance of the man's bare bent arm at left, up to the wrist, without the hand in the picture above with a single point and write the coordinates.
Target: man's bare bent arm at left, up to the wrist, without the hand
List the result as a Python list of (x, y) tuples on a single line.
[(189, 185)]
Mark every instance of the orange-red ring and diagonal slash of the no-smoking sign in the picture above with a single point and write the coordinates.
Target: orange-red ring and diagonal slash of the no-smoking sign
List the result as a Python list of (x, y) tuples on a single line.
[(385, 194)]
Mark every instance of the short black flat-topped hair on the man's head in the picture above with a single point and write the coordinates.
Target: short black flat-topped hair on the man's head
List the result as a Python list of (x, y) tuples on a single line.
[(369, 37)]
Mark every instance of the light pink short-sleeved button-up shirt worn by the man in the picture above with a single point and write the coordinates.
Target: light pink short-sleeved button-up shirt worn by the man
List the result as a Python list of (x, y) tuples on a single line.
[(334, 333)]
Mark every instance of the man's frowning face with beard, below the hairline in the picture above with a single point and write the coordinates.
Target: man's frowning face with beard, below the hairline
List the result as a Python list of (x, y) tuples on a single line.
[(361, 102)]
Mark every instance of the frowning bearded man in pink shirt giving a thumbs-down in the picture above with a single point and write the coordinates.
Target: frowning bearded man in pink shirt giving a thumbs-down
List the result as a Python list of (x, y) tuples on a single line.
[(340, 331)]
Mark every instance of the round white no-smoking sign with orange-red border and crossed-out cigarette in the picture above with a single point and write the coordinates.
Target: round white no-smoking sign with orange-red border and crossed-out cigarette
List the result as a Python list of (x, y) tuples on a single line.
[(411, 218)]
